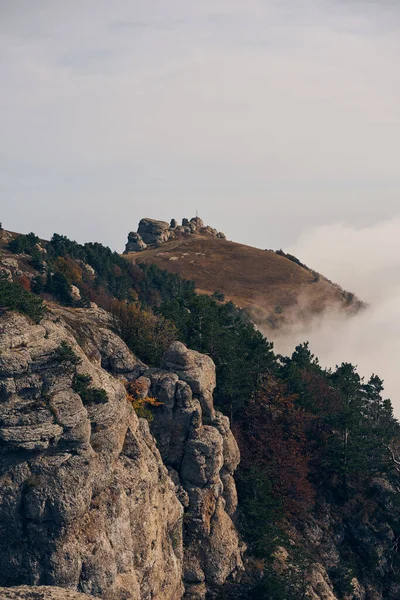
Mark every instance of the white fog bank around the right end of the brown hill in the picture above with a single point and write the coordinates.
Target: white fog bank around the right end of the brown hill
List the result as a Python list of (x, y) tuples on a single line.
[(365, 261)]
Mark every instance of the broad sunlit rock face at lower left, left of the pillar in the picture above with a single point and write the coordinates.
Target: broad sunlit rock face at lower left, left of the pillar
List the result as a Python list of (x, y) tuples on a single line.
[(85, 500)]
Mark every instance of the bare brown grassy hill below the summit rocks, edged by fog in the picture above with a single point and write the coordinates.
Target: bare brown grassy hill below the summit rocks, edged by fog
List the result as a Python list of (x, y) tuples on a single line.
[(272, 288)]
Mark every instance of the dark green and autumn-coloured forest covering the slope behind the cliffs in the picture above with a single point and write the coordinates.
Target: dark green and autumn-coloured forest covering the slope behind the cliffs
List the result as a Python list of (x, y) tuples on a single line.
[(317, 444)]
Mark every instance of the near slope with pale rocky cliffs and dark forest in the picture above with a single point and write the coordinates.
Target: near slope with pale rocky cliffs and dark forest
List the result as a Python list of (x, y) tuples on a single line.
[(152, 444)]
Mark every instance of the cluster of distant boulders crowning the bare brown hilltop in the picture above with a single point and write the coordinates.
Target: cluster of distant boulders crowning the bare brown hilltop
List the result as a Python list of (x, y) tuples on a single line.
[(153, 233)]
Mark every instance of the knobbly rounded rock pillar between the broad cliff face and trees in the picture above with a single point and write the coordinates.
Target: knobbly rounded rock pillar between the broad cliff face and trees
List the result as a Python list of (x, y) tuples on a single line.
[(202, 459)]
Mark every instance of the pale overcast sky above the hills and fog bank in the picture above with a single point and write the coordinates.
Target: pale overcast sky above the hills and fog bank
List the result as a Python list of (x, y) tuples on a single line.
[(268, 117)]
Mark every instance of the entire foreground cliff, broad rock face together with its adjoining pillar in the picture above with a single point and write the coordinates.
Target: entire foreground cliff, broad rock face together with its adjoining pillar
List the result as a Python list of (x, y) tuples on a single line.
[(87, 502)]
